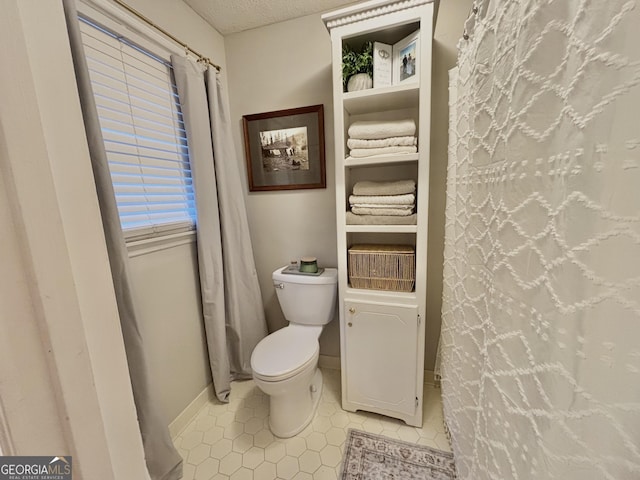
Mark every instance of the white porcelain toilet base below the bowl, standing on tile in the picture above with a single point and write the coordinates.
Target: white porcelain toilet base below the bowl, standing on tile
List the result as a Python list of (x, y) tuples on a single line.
[(290, 414)]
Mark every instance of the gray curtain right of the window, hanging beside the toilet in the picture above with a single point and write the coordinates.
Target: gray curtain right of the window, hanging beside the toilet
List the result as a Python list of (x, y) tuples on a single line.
[(231, 300)]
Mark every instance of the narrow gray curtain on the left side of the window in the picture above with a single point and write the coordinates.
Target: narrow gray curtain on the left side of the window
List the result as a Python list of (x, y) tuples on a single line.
[(163, 460)]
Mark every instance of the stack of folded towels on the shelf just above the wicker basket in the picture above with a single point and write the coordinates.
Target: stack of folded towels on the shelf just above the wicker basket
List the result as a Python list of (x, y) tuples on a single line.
[(383, 203)]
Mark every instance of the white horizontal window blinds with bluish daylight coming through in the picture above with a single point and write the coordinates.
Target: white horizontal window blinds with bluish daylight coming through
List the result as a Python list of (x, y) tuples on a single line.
[(143, 133)]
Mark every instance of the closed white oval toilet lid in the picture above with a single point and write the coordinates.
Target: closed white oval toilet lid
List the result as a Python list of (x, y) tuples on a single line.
[(284, 352)]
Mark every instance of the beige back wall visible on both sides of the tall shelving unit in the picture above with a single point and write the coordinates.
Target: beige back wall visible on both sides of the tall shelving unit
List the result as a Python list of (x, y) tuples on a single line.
[(288, 65)]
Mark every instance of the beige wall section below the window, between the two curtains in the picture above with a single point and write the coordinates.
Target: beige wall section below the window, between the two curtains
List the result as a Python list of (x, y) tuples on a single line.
[(167, 292)]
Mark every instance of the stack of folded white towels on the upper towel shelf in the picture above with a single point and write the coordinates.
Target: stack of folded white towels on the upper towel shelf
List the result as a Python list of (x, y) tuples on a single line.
[(368, 138)]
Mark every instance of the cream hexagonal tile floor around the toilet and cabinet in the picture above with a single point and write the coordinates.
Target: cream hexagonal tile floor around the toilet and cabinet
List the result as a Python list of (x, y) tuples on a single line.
[(233, 441)]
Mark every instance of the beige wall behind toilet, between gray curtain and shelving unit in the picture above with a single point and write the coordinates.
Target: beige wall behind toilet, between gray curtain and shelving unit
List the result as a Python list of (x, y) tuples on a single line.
[(282, 66)]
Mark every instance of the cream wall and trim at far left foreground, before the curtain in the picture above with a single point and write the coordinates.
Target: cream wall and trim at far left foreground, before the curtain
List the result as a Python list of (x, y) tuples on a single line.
[(65, 386)]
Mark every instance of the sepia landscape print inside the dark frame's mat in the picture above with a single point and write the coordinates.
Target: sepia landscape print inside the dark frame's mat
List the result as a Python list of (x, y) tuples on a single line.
[(284, 149)]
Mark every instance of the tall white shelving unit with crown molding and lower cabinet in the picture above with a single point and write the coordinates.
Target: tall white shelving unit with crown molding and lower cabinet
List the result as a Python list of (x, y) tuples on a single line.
[(382, 332)]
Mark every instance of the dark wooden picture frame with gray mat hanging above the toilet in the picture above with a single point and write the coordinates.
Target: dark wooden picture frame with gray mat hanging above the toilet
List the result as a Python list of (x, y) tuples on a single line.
[(284, 149)]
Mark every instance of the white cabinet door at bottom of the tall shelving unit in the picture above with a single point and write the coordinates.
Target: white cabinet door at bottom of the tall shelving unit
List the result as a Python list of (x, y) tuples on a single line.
[(381, 355)]
